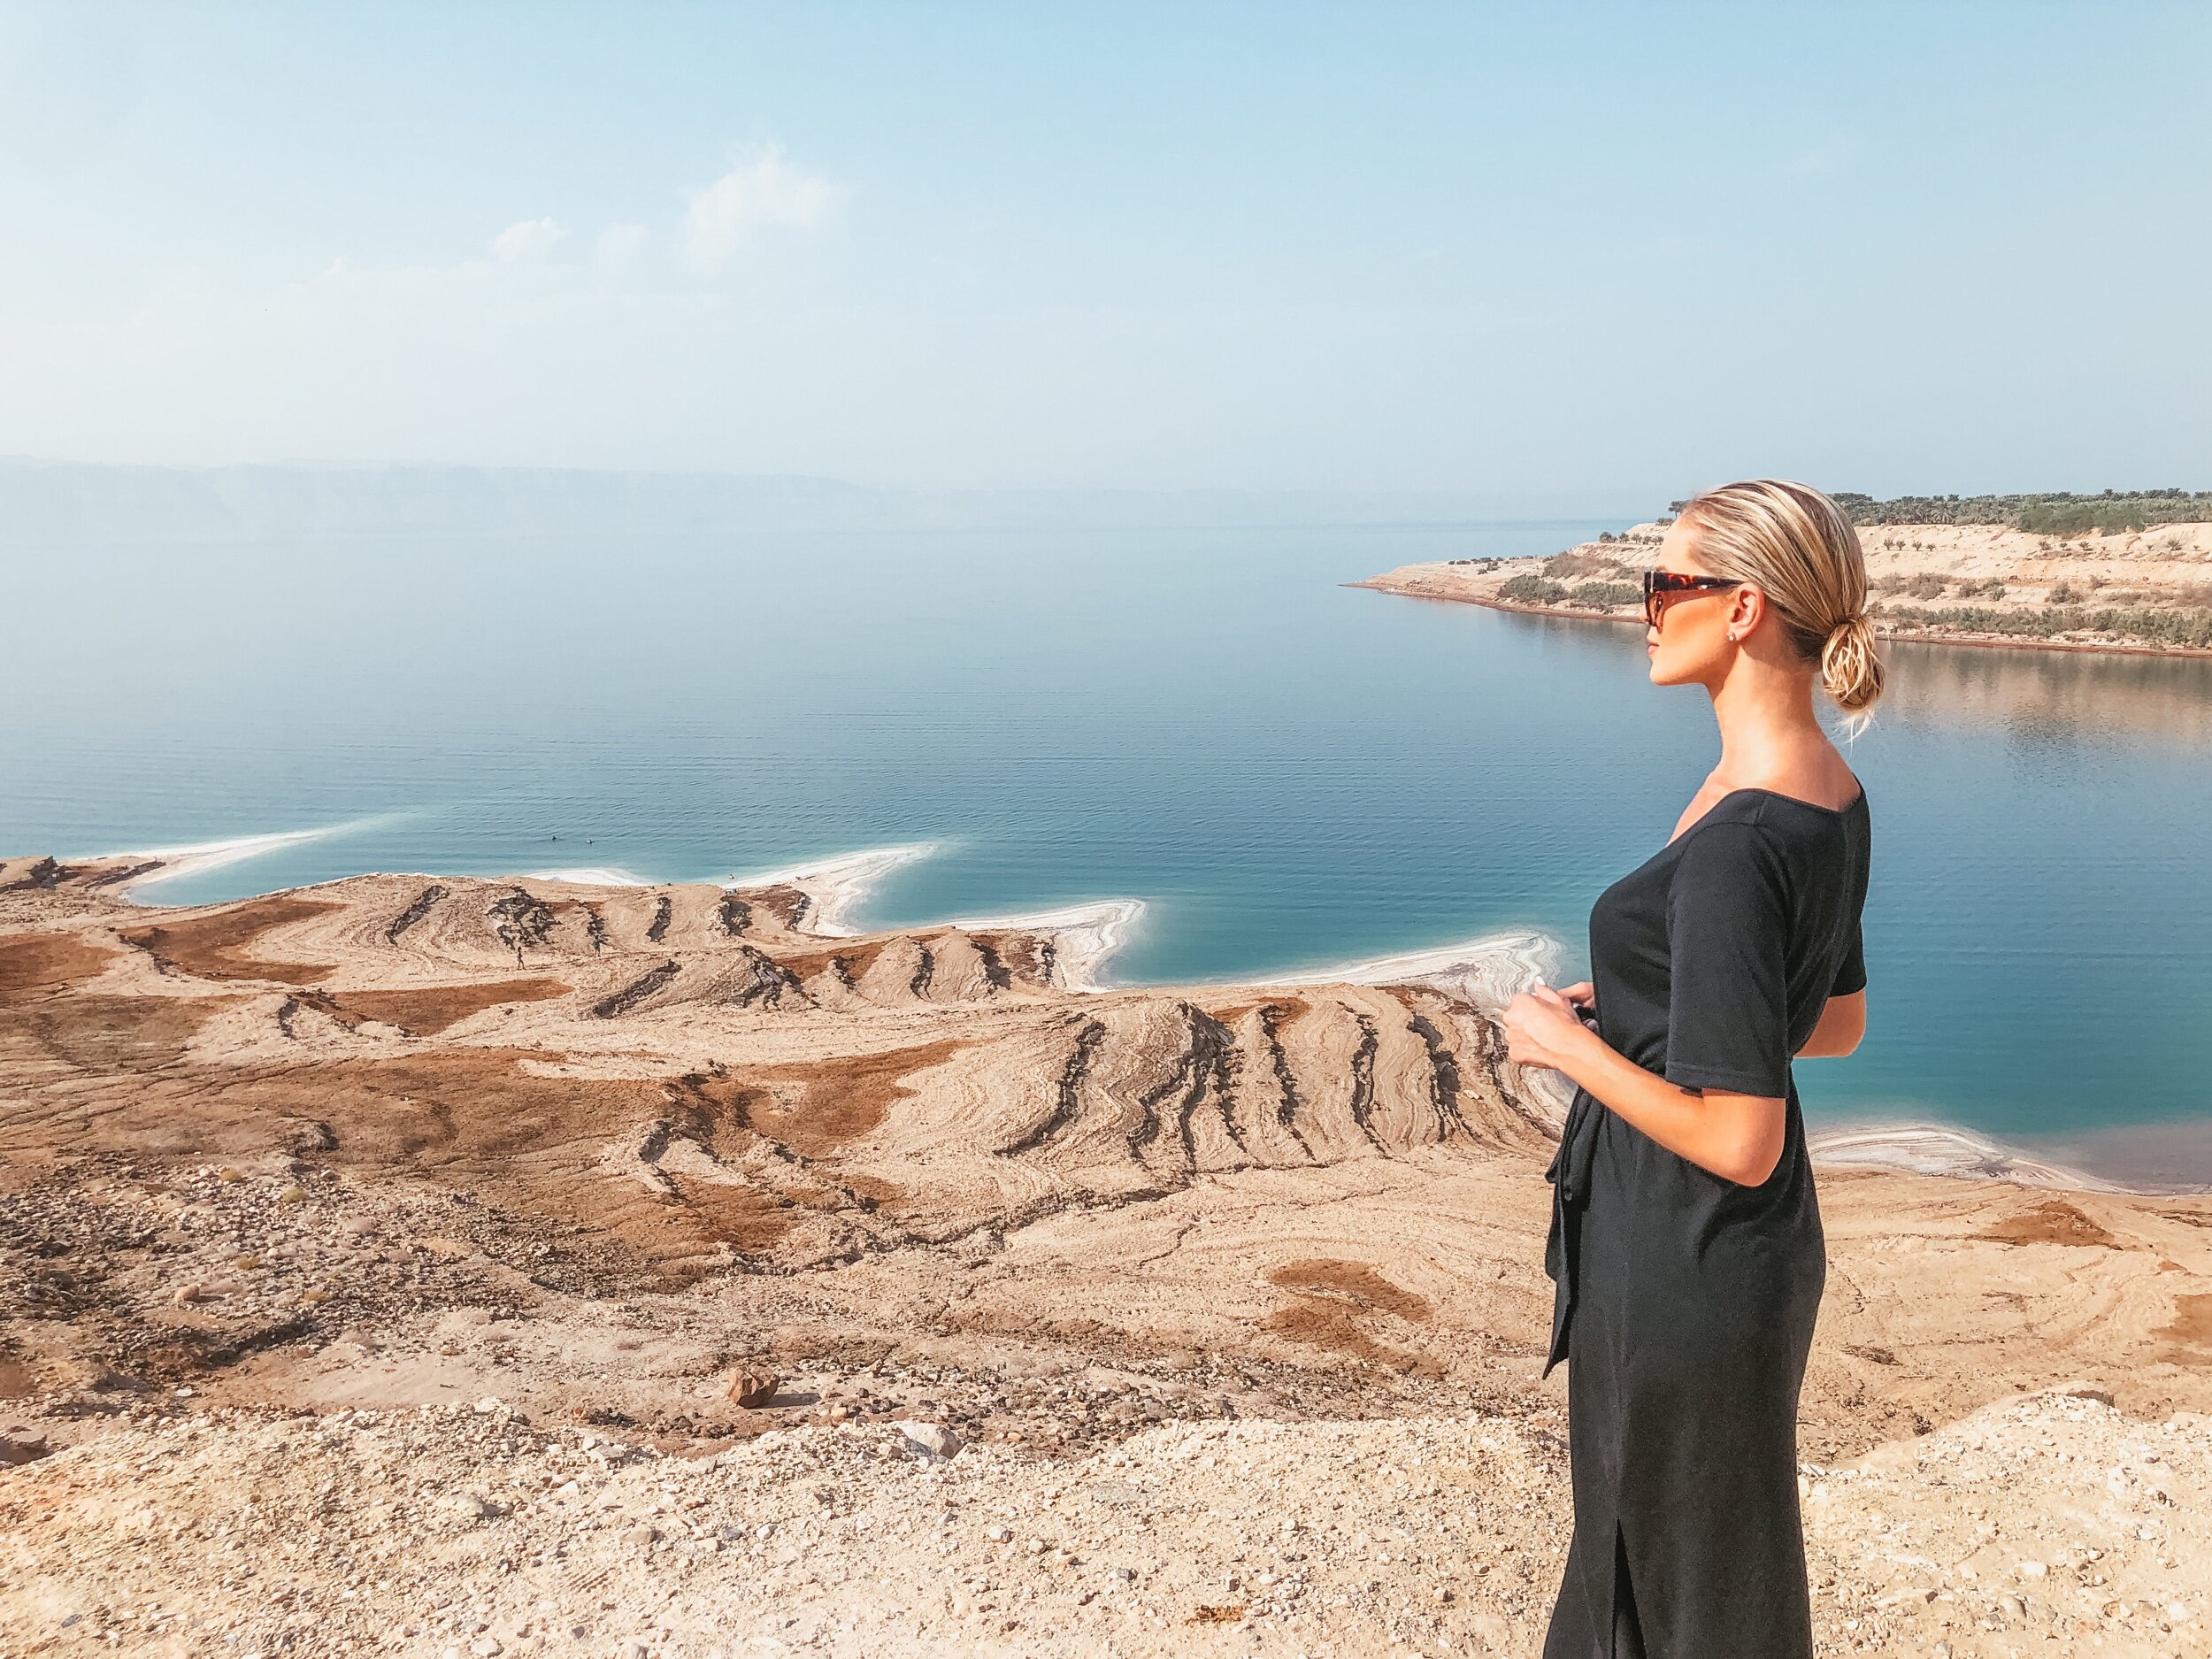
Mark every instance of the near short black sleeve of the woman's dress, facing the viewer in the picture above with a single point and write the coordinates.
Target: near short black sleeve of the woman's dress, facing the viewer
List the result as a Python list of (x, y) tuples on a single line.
[(1729, 1001)]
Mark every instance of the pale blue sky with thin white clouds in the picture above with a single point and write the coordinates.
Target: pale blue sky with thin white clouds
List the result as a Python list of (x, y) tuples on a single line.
[(1558, 258)]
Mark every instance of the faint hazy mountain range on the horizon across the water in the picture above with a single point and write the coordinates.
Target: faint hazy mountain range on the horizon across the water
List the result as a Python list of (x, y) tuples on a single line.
[(45, 503)]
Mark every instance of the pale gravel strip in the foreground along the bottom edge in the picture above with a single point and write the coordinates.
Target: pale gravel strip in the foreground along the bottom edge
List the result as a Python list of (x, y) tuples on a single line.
[(2041, 1525)]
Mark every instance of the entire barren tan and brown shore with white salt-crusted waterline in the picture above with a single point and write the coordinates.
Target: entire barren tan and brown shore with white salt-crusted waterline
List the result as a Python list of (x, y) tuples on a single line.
[(561, 1264)]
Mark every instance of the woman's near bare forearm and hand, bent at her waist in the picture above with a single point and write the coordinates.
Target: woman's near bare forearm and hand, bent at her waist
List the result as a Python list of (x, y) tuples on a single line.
[(1738, 1138)]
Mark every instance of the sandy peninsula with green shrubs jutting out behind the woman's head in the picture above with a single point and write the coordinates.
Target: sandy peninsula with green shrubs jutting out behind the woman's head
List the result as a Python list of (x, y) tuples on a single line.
[(2056, 572)]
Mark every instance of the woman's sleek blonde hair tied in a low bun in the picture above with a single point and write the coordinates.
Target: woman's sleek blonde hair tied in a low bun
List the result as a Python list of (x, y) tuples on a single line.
[(1799, 550)]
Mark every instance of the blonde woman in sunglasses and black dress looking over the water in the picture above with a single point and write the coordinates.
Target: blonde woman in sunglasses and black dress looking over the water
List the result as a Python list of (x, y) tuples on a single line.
[(1687, 1238)]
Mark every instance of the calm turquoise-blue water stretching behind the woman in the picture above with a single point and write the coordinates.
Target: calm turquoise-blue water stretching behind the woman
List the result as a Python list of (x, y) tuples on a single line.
[(1291, 773)]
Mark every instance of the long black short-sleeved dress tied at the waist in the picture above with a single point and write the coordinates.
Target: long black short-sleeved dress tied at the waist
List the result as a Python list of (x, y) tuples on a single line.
[(1687, 1300)]
